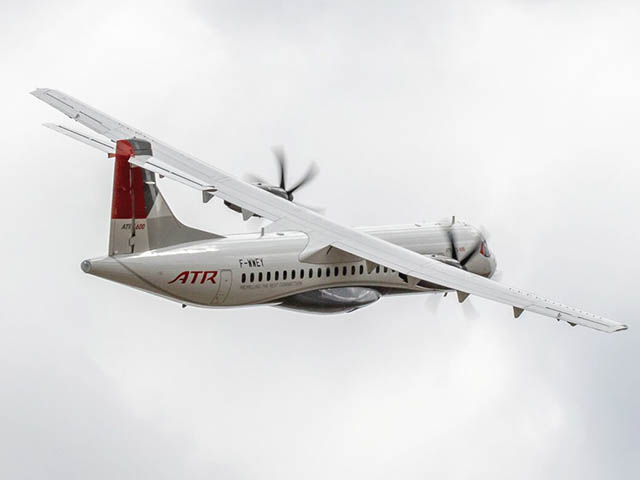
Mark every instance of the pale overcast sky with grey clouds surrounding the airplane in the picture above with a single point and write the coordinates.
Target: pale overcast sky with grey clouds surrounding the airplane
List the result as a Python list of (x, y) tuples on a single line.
[(520, 116)]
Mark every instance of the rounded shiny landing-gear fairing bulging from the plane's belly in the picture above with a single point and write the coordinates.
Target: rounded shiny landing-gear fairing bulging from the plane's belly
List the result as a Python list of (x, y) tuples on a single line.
[(332, 300)]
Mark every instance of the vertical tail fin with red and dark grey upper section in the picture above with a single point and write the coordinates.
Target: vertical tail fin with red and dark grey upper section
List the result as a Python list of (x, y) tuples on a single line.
[(141, 220)]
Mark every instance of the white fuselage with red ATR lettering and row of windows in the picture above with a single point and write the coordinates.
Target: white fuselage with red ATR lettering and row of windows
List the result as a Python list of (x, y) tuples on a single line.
[(249, 269)]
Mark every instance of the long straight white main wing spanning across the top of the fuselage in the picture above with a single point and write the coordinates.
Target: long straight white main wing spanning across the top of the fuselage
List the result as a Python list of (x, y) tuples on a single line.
[(321, 231)]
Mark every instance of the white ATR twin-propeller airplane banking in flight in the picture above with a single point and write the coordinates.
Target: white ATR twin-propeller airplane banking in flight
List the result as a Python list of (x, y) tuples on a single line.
[(301, 260)]
